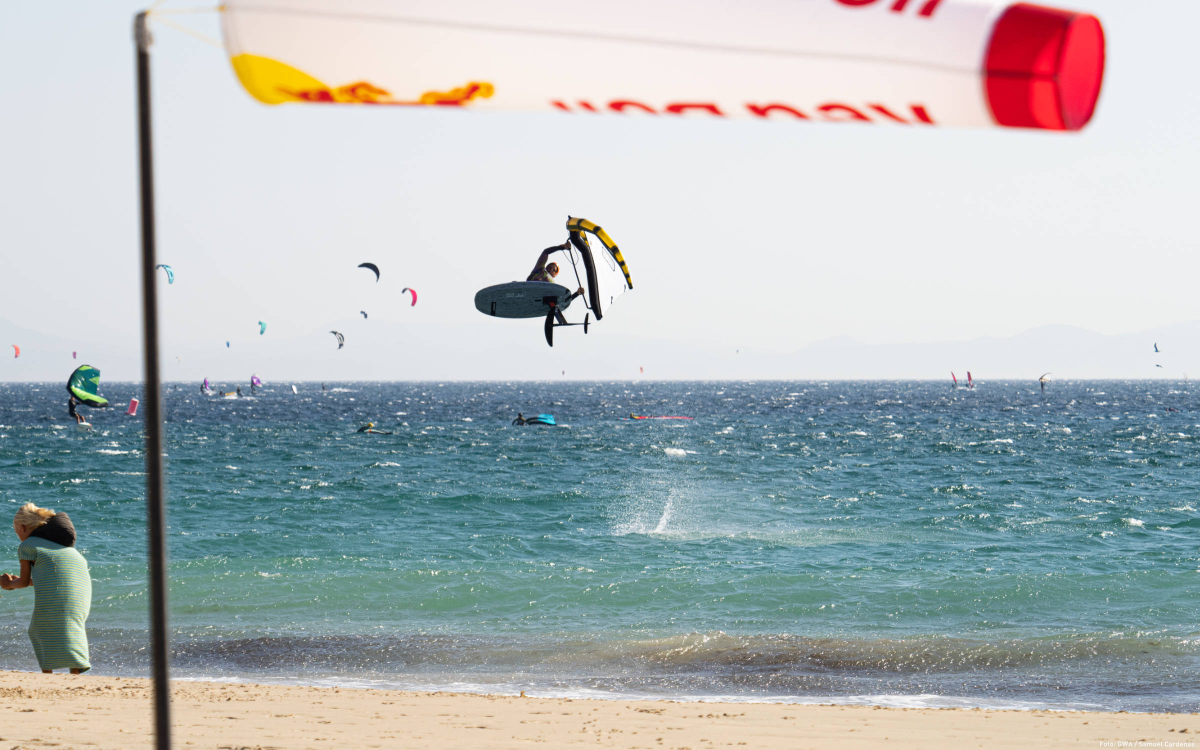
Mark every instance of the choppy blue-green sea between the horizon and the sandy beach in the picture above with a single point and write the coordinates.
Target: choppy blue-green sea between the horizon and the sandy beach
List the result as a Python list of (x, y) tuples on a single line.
[(886, 543)]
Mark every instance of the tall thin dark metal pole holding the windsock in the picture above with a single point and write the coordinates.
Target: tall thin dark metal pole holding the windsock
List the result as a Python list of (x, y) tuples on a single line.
[(152, 403)]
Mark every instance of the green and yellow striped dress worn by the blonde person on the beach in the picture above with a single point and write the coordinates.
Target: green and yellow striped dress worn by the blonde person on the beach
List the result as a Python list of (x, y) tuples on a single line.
[(62, 602)]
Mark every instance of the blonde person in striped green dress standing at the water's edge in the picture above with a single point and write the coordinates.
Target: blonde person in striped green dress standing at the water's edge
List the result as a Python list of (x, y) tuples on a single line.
[(62, 589)]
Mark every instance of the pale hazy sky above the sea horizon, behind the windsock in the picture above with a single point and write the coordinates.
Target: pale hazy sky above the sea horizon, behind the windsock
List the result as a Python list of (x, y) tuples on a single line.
[(741, 237)]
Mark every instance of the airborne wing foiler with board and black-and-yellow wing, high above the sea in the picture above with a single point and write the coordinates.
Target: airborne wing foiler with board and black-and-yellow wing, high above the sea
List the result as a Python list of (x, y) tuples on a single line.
[(604, 279)]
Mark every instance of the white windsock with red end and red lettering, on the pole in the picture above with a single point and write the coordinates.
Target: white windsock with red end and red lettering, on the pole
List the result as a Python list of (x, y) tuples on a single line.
[(921, 63)]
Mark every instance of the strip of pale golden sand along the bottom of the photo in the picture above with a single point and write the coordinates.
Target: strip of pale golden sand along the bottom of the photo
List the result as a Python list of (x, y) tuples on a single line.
[(57, 711)]
